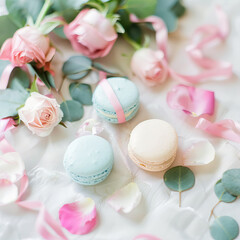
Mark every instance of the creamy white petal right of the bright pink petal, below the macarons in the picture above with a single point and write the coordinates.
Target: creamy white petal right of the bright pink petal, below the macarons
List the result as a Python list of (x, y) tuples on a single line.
[(125, 199)]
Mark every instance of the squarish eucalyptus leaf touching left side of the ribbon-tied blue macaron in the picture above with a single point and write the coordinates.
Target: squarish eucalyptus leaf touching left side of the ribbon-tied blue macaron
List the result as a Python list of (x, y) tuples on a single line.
[(81, 92)]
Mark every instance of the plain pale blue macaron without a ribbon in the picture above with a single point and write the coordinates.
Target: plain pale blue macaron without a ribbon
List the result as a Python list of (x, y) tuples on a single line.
[(89, 160)]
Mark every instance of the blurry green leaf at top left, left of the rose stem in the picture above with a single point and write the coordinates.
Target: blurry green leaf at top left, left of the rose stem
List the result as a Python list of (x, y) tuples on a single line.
[(20, 10)]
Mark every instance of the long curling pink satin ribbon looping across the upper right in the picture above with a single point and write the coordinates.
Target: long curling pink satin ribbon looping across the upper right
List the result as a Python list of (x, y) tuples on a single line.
[(202, 37)]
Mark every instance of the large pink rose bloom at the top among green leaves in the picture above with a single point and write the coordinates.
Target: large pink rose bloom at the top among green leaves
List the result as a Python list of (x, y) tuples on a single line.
[(91, 34)]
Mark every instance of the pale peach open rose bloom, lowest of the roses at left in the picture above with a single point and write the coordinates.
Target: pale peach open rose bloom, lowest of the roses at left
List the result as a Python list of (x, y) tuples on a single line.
[(40, 114)]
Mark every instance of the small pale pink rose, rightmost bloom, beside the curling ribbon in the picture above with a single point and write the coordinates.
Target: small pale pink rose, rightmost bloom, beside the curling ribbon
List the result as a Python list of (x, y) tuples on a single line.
[(149, 66)]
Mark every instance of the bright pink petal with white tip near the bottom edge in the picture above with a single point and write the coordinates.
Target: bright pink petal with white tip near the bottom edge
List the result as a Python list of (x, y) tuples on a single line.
[(79, 217)]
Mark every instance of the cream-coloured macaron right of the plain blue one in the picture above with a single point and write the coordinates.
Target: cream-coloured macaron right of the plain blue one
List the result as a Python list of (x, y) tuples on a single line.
[(153, 145)]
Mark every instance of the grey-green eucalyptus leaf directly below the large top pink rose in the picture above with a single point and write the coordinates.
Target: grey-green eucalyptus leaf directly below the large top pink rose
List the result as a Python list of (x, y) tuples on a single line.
[(77, 67)]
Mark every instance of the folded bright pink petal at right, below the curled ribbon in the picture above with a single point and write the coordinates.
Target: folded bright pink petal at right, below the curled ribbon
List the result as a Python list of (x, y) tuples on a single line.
[(191, 100)]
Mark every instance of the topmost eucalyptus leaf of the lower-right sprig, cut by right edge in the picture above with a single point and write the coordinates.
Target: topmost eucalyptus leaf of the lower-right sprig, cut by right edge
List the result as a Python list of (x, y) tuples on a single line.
[(231, 181)]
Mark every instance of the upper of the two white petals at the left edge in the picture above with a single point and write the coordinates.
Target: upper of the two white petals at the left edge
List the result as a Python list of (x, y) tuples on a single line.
[(11, 166)]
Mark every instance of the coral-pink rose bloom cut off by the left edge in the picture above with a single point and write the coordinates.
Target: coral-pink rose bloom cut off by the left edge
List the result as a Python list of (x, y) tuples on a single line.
[(27, 45)]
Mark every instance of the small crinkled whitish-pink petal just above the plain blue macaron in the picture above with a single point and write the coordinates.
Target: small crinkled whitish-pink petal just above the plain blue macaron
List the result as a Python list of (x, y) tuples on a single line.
[(90, 127)]
